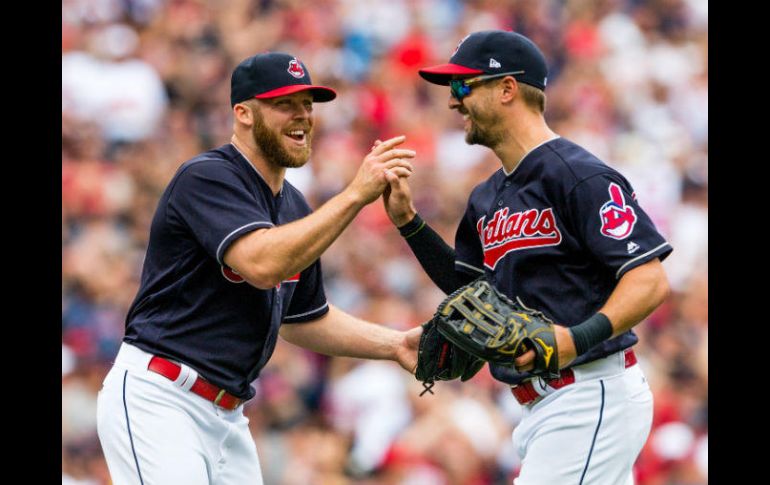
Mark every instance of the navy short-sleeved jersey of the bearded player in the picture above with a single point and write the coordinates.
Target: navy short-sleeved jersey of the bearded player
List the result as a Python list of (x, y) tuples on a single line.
[(190, 306)]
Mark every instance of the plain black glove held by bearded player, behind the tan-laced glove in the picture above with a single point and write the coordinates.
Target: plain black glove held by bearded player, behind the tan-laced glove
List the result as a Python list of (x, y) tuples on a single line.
[(439, 360)]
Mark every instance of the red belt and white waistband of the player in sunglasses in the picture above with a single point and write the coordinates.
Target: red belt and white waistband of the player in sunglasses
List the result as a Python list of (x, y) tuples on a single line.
[(531, 390)]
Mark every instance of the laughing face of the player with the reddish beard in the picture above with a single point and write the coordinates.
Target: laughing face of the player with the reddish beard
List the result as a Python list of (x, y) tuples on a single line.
[(283, 128)]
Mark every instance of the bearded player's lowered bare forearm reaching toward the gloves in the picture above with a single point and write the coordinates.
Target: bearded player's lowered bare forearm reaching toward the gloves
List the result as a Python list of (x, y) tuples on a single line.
[(342, 335)]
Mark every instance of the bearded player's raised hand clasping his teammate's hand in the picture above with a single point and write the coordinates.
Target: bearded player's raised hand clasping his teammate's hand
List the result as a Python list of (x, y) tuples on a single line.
[(371, 179)]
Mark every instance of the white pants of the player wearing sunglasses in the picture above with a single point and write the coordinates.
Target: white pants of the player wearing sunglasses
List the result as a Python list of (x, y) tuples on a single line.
[(589, 432)]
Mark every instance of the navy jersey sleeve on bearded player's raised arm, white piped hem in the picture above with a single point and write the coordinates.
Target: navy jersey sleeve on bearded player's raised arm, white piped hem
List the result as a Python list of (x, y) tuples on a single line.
[(217, 206)]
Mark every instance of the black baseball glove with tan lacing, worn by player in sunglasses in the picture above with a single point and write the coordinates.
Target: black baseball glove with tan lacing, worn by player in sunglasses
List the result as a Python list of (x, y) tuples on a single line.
[(485, 323)]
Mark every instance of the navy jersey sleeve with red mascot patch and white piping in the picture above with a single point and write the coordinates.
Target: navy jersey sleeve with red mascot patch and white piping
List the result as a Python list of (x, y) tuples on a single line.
[(612, 224)]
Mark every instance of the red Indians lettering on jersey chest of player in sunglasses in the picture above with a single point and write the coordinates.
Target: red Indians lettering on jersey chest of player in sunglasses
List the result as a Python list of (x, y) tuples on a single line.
[(511, 232)]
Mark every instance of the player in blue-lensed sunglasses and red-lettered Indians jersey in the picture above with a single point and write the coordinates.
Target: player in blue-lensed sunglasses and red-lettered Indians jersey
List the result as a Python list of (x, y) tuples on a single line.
[(561, 231)]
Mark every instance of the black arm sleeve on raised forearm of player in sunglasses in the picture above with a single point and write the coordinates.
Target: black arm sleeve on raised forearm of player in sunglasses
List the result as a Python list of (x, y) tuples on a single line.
[(435, 256)]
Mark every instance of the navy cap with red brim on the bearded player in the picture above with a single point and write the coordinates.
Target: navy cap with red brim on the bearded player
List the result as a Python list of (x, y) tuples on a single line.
[(273, 74)]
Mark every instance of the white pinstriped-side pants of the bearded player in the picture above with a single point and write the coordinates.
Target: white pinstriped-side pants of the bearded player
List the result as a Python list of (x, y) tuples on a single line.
[(155, 433)]
